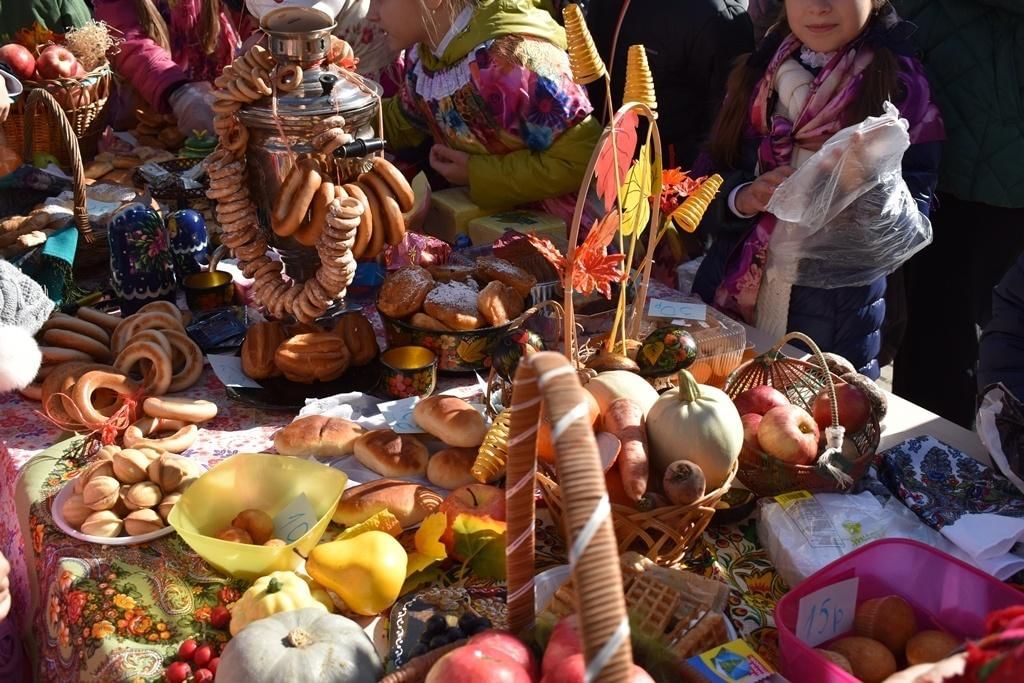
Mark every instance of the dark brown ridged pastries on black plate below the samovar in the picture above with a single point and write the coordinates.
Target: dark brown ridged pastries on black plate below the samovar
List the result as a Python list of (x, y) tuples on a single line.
[(307, 354)]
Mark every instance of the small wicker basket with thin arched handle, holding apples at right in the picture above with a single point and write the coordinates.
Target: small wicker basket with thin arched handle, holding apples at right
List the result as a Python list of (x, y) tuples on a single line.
[(801, 382)]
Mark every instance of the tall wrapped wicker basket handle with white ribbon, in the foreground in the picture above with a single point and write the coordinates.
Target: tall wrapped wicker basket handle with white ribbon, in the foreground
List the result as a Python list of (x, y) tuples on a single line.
[(550, 377)]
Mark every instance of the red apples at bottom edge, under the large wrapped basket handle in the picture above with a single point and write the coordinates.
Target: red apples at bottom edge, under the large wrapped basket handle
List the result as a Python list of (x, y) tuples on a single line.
[(501, 658)]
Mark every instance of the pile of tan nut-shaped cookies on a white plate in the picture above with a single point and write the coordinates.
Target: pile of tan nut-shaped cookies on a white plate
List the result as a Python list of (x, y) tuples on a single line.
[(127, 492)]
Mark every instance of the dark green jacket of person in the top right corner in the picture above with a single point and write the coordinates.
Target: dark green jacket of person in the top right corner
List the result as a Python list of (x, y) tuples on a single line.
[(973, 52)]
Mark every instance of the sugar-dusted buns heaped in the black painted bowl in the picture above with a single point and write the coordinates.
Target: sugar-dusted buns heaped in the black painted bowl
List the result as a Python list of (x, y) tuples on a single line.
[(457, 298)]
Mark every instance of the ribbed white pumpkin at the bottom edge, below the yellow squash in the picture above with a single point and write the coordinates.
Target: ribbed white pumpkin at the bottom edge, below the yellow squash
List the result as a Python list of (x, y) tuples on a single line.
[(309, 646)]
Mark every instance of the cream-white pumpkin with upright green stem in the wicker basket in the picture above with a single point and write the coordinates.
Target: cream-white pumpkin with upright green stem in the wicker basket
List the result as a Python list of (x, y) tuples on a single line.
[(698, 423)]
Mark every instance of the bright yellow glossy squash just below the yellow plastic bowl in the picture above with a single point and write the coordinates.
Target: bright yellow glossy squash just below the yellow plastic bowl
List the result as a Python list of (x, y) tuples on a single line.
[(367, 572)]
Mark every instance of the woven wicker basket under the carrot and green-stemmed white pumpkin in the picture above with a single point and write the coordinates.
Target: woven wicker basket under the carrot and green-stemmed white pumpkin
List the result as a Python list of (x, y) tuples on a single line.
[(664, 535)]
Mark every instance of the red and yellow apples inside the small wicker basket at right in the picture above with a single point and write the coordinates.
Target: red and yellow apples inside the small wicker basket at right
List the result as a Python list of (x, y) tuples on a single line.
[(790, 434)]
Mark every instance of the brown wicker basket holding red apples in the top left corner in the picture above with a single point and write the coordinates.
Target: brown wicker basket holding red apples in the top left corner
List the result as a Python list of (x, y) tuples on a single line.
[(82, 100)]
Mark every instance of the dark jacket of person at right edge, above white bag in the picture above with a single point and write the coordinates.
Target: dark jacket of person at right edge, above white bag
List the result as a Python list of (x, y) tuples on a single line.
[(1002, 351)]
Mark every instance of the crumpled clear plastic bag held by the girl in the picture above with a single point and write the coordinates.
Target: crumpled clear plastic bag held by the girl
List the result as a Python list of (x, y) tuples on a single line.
[(846, 218)]
